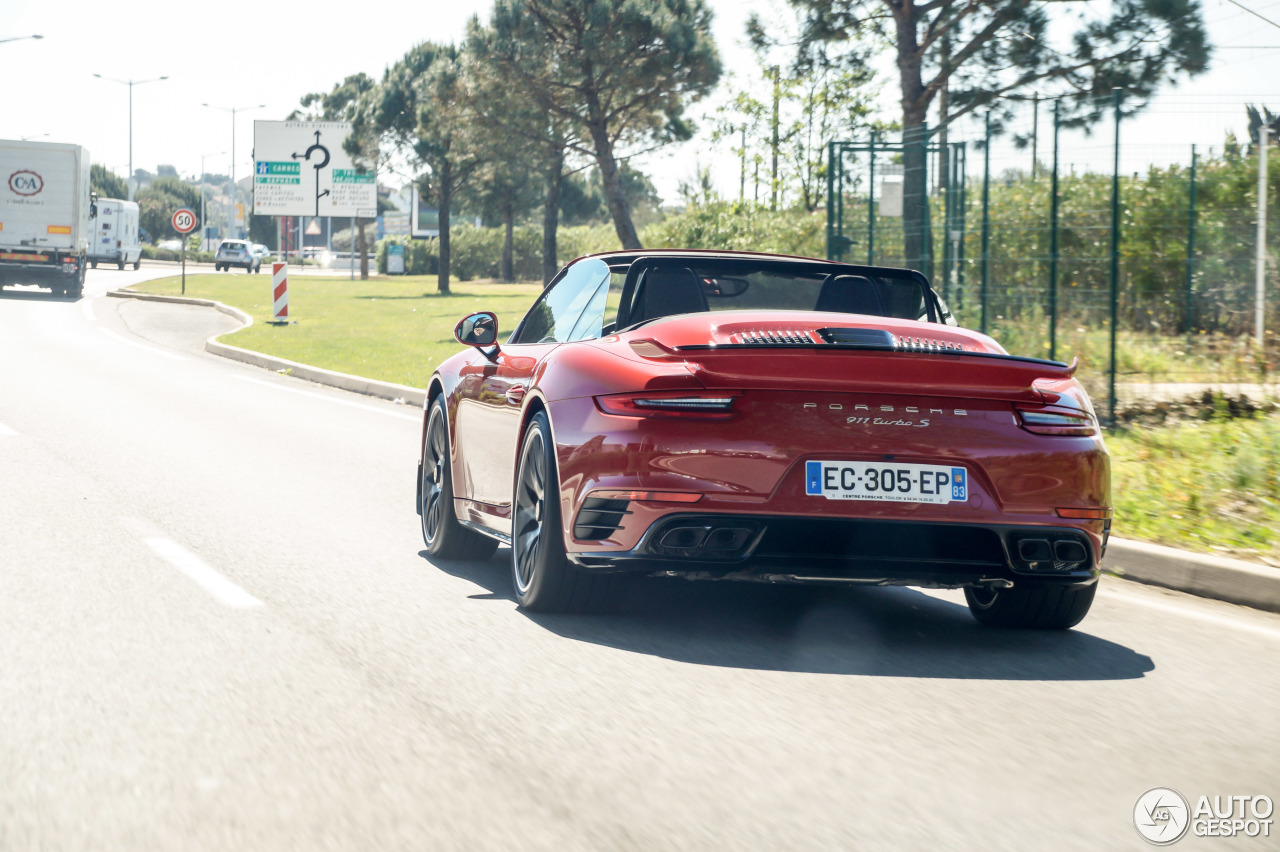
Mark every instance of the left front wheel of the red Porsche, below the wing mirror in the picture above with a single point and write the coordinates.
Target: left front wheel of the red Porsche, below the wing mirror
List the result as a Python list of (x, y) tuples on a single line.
[(444, 535)]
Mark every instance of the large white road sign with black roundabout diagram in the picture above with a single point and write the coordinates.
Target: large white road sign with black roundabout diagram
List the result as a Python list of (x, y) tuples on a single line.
[(300, 170)]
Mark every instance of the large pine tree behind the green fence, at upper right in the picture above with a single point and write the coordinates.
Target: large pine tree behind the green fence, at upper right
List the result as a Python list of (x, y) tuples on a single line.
[(972, 53)]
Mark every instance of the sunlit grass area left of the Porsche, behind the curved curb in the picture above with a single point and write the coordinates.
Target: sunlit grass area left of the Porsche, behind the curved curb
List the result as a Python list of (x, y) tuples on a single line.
[(392, 329)]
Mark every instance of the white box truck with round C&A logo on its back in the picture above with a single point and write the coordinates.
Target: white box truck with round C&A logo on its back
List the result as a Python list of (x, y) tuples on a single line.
[(45, 216)]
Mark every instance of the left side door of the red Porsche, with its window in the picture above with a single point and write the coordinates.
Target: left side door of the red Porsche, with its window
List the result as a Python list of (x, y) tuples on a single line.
[(492, 392)]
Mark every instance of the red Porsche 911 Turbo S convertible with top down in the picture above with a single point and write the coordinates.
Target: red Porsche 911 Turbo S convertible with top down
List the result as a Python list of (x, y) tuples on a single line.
[(758, 418)]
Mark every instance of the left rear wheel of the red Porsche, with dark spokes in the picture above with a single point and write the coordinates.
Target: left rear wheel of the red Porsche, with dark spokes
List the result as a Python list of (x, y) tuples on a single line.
[(543, 578)]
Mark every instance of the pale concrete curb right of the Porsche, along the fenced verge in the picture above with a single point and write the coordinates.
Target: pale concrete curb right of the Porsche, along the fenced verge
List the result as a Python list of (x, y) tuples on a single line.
[(1219, 578)]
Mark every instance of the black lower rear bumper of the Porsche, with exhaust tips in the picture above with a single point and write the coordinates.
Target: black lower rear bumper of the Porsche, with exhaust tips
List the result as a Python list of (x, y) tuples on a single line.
[(854, 551)]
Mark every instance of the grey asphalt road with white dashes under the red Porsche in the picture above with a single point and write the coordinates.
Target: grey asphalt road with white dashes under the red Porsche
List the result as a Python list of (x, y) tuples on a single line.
[(218, 631)]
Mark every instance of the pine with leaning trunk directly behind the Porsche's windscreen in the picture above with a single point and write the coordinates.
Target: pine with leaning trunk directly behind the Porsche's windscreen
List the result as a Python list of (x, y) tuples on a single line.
[(619, 71)]
